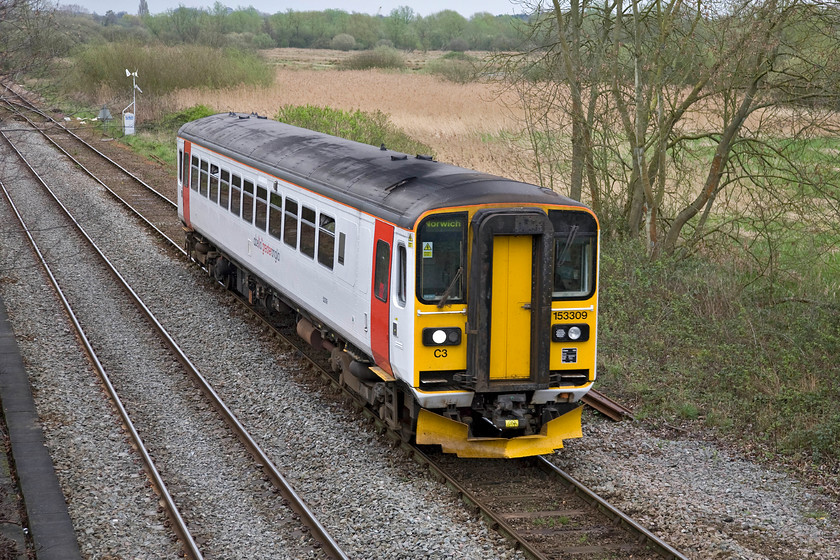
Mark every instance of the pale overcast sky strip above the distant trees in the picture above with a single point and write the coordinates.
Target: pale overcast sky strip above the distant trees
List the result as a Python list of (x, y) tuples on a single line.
[(423, 7)]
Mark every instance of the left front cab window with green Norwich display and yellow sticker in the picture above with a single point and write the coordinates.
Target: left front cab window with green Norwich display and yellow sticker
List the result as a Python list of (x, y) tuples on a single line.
[(441, 258)]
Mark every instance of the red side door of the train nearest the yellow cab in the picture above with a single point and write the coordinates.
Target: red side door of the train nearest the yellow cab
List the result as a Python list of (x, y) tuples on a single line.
[(380, 309)]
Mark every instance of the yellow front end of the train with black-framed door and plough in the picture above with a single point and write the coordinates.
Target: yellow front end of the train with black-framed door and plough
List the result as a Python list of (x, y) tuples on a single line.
[(504, 327)]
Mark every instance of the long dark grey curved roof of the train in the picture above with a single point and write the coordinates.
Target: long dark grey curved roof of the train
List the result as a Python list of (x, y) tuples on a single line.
[(390, 185)]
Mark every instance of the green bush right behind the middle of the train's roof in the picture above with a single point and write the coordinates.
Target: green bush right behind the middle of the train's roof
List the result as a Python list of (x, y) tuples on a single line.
[(369, 128)]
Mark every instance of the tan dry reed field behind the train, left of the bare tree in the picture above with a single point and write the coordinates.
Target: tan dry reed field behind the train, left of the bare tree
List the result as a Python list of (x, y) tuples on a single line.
[(449, 117)]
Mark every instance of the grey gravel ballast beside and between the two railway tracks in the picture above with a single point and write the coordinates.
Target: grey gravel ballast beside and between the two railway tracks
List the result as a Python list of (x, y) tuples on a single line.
[(702, 498)]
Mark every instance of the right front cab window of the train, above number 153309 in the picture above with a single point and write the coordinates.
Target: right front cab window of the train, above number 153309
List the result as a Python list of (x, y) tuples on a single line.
[(575, 251)]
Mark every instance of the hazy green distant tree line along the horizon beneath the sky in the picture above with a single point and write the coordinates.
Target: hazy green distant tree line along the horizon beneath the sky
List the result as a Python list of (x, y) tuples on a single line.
[(220, 25)]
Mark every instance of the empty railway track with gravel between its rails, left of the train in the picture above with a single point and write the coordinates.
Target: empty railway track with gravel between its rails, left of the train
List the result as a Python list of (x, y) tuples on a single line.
[(140, 373)]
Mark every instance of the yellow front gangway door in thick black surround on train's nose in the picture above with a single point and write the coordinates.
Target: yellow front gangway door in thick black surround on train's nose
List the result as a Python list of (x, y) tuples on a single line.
[(510, 302)]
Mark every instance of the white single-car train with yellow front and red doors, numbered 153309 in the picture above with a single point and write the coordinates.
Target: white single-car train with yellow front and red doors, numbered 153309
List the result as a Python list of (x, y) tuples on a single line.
[(461, 306)]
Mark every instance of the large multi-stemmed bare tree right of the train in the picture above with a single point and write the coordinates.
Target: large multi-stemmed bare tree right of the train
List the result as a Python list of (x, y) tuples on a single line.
[(672, 108)]
